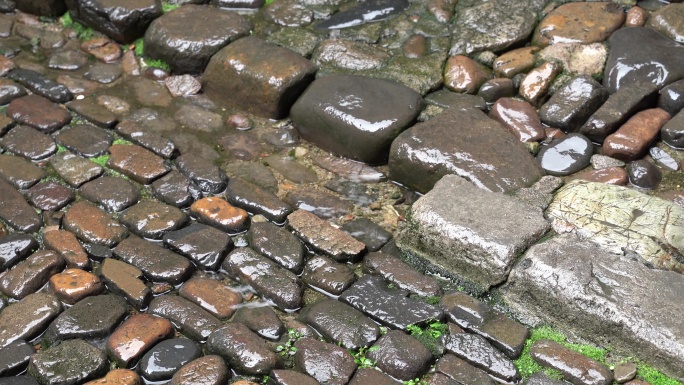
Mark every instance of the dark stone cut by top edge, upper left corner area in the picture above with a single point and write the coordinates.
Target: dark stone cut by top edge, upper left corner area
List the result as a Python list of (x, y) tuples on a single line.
[(122, 20)]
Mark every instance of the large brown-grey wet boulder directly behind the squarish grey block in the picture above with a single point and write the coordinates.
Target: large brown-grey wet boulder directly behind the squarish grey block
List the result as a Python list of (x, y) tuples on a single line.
[(464, 142)]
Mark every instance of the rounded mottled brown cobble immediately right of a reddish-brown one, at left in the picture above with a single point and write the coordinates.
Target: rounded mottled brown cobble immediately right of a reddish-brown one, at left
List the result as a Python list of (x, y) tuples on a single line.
[(151, 219)]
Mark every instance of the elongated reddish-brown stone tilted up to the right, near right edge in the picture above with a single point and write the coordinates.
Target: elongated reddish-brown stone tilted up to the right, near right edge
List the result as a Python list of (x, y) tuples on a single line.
[(632, 139)]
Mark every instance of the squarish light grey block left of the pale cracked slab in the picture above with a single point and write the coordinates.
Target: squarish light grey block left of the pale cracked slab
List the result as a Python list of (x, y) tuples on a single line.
[(469, 232)]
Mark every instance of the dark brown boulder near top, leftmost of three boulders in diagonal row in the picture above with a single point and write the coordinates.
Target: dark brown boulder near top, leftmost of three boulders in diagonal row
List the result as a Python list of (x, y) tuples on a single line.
[(188, 50)]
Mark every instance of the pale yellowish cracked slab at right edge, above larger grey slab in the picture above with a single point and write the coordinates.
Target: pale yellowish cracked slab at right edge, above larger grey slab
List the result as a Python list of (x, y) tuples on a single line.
[(620, 220)]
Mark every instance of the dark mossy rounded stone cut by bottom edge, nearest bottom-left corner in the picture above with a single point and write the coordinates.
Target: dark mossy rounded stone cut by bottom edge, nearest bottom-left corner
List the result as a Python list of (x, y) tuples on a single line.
[(71, 362)]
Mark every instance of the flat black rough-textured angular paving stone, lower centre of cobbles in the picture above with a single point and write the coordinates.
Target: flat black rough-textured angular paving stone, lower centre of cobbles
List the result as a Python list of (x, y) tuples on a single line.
[(388, 306)]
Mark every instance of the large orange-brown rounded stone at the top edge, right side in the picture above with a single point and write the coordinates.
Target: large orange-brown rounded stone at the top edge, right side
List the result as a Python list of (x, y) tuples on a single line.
[(579, 23)]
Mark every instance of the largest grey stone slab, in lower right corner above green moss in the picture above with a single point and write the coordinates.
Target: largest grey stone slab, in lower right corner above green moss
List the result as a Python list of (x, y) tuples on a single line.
[(592, 294)]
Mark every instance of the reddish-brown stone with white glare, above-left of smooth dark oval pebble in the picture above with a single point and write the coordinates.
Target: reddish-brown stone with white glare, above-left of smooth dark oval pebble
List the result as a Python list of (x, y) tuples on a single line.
[(520, 118)]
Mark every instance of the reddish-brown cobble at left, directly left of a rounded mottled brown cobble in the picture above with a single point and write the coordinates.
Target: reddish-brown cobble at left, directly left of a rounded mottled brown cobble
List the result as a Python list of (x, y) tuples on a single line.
[(90, 224)]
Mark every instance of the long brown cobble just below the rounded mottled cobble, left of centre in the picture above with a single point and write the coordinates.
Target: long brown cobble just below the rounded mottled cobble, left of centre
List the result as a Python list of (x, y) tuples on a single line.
[(158, 264)]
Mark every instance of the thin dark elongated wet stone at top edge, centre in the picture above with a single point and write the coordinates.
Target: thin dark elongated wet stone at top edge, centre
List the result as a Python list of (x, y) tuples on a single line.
[(364, 13)]
